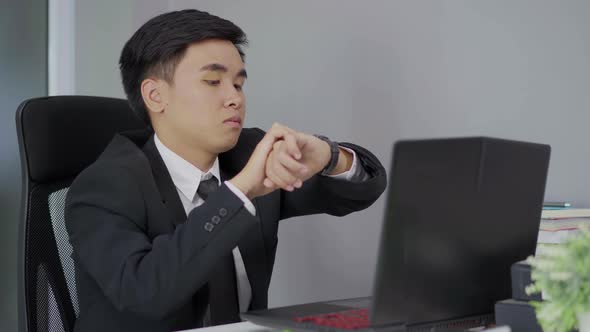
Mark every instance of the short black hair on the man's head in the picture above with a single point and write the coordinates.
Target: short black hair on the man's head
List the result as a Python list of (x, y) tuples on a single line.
[(157, 47)]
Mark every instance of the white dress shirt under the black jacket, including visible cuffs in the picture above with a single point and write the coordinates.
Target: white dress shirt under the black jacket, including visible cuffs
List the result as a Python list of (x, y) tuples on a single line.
[(187, 177)]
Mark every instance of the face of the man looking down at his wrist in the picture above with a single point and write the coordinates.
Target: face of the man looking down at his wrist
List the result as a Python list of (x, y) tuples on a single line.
[(205, 104)]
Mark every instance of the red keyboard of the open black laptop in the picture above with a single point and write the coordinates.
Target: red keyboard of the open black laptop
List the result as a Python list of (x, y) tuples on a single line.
[(348, 320)]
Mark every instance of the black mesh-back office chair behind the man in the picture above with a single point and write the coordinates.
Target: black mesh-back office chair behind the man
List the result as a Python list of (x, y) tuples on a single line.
[(58, 137)]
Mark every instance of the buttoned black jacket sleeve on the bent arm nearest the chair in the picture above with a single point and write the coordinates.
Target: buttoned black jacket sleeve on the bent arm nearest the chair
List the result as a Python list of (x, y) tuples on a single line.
[(106, 220)]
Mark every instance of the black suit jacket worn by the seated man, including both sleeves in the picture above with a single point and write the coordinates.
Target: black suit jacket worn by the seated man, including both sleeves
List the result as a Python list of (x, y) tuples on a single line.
[(142, 264)]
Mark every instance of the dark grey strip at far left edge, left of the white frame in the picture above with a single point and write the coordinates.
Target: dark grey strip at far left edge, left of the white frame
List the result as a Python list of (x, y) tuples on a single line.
[(23, 74)]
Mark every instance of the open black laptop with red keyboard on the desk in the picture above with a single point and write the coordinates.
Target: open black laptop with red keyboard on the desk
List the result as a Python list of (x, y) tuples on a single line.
[(459, 213)]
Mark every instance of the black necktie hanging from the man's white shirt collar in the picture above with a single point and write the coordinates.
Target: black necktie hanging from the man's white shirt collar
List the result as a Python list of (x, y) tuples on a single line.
[(223, 295)]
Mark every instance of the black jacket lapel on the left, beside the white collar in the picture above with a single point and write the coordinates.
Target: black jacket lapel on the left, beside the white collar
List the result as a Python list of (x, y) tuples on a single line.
[(164, 182)]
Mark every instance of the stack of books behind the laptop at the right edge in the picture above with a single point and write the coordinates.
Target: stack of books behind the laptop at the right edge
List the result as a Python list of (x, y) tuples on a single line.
[(559, 224)]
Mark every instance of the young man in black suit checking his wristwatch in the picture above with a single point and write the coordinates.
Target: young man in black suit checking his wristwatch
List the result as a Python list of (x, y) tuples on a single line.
[(176, 227)]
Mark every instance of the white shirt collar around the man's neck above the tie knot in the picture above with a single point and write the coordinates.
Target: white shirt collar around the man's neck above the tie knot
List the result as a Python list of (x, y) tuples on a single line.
[(186, 176)]
